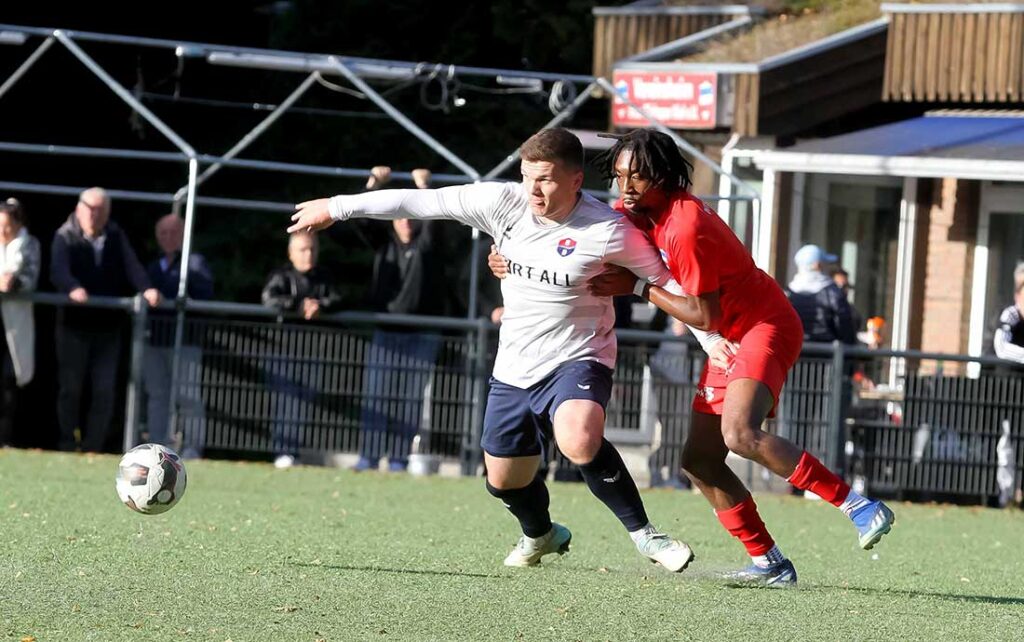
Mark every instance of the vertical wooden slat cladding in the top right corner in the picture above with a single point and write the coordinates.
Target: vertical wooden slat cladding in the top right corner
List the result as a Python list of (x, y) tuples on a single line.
[(956, 58)]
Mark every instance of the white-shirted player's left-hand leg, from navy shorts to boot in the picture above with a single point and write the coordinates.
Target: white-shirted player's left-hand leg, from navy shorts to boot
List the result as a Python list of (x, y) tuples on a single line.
[(513, 454)]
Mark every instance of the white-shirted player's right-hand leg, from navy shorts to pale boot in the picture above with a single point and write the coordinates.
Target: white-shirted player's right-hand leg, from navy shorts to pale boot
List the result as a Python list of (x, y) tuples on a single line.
[(576, 399)]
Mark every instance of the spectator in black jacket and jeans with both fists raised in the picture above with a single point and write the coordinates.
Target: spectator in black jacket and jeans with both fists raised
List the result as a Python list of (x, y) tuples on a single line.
[(402, 359)]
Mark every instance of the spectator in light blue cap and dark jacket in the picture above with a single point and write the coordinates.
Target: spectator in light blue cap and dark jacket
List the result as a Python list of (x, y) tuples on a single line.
[(822, 306)]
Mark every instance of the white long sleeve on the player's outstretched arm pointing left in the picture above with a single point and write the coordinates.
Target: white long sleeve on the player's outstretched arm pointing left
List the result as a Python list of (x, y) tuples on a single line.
[(484, 206)]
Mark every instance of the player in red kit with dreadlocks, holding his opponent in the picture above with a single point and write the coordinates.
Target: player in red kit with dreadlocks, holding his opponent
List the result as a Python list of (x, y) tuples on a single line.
[(726, 291)]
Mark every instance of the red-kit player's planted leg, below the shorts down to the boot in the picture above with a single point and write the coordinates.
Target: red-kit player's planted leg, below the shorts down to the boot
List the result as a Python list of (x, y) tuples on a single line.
[(704, 463)]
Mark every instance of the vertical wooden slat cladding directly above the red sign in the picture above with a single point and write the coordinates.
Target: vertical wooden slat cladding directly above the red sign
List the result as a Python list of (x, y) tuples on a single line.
[(619, 36)]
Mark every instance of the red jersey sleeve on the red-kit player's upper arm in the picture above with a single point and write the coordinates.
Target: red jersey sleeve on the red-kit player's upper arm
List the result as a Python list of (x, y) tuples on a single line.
[(695, 253)]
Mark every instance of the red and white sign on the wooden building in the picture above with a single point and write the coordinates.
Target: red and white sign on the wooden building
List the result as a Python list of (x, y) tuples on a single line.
[(678, 100)]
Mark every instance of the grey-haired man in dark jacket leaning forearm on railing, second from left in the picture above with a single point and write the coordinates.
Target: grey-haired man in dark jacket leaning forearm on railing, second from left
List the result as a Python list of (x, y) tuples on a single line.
[(92, 256)]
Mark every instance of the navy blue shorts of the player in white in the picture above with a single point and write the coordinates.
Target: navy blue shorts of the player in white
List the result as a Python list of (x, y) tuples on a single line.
[(518, 422)]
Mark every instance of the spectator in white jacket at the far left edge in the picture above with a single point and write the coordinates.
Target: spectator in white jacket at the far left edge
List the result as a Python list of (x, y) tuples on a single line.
[(19, 273)]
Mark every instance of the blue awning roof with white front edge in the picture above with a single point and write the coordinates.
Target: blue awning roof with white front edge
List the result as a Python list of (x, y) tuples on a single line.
[(977, 147)]
